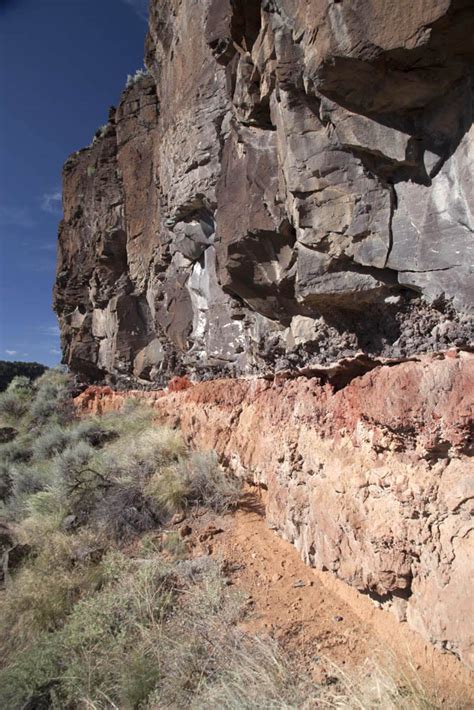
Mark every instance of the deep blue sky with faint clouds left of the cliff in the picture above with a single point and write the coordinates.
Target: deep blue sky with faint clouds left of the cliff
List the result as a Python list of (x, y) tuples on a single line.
[(62, 64)]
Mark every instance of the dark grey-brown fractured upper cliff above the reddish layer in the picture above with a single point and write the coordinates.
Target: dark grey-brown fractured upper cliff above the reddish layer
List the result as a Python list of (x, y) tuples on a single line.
[(290, 185)]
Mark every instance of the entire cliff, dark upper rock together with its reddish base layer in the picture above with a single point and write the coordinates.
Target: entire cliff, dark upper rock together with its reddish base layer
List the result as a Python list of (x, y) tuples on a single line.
[(287, 193)]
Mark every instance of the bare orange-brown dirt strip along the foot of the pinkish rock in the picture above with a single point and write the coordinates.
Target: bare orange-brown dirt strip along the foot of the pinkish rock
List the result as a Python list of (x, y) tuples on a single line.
[(315, 616)]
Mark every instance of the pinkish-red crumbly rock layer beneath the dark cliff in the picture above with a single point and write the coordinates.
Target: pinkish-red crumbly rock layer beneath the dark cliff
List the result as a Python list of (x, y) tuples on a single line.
[(373, 482)]
